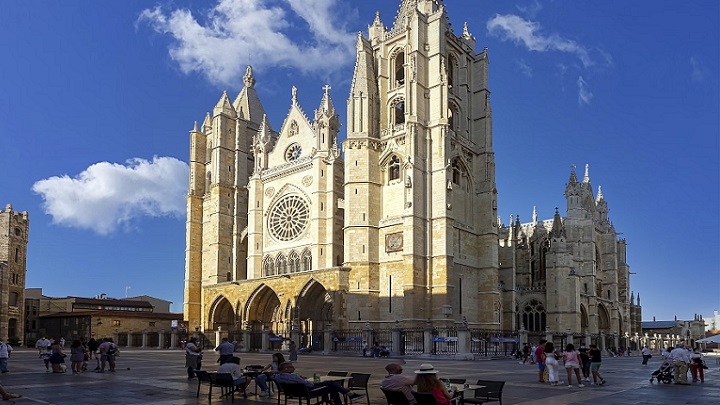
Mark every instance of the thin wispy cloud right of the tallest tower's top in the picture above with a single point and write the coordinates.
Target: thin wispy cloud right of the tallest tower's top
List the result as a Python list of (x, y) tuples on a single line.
[(528, 33)]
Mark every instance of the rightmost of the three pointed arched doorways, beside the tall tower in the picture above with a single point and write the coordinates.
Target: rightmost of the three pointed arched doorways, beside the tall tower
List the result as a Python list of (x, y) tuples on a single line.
[(314, 311)]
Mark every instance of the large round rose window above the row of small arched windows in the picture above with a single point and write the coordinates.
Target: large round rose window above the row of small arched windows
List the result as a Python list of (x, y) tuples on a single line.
[(288, 218)]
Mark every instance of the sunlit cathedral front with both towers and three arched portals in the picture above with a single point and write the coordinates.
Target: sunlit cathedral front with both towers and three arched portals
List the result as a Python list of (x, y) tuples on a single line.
[(284, 231)]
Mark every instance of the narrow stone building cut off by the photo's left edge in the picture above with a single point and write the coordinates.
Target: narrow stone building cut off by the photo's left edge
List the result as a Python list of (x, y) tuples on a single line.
[(14, 228)]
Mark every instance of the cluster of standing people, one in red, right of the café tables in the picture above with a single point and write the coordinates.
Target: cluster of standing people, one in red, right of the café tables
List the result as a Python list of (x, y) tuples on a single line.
[(587, 361)]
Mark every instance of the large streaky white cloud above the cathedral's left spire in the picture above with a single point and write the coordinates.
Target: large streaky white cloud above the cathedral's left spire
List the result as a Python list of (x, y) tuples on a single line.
[(236, 33)]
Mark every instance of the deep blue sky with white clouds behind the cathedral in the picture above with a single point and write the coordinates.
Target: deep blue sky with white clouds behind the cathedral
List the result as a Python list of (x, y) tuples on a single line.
[(97, 98)]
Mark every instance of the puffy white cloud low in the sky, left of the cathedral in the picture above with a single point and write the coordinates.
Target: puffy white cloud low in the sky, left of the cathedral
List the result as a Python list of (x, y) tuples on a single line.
[(107, 196)]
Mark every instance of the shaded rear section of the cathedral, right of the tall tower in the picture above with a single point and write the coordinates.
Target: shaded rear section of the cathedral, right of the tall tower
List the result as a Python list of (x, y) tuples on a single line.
[(569, 275)]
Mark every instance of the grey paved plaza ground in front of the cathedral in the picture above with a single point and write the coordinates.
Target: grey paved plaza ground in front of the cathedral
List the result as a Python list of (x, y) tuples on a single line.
[(158, 377)]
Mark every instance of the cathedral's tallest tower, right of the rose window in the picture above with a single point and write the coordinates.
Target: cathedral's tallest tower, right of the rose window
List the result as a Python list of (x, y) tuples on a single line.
[(420, 197)]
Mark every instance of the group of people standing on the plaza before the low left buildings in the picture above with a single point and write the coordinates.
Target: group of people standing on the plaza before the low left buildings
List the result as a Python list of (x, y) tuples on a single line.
[(52, 352)]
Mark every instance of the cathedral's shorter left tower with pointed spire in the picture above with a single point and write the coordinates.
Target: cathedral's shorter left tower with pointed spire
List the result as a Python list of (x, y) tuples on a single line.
[(217, 200)]
